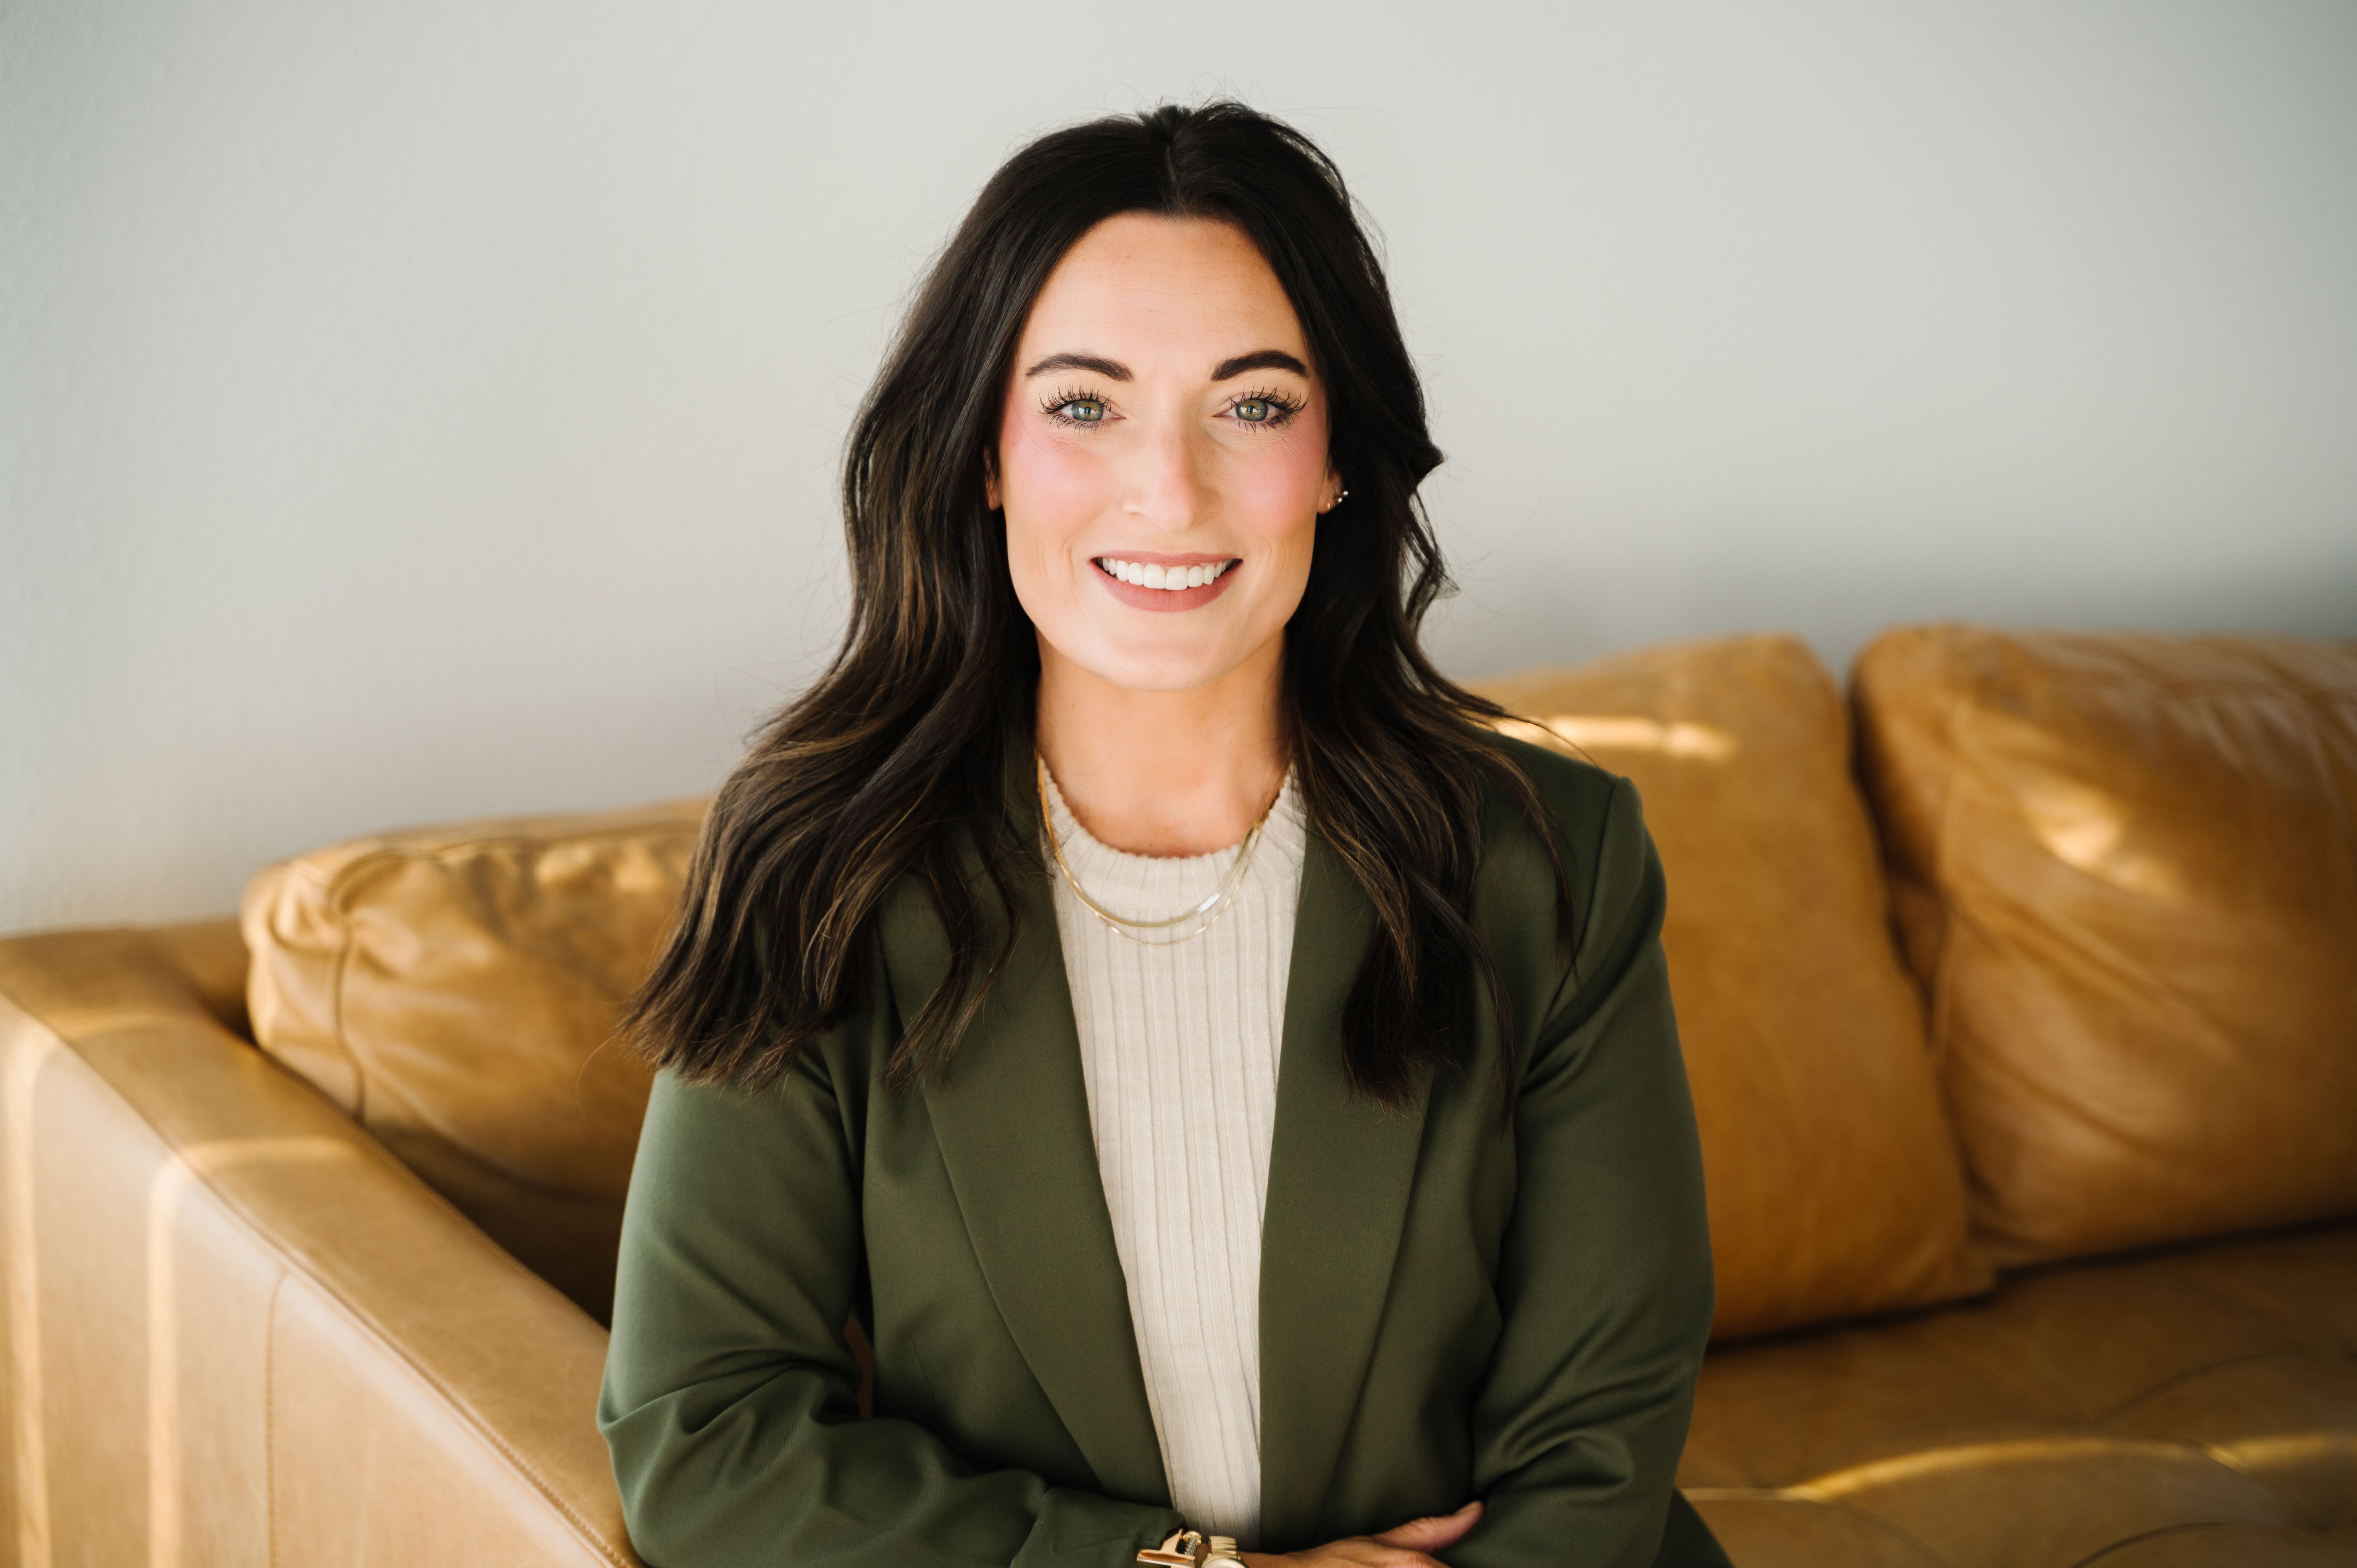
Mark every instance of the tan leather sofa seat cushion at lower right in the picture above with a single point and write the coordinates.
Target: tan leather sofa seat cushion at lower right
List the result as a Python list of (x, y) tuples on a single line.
[(2188, 1406)]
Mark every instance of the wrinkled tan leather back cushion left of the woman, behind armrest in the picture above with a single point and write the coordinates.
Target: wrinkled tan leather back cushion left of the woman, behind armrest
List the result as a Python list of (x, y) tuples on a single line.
[(456, 991)]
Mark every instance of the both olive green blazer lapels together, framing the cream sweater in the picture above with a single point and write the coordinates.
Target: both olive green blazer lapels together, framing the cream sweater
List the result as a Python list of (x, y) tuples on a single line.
[(1012, 1121)]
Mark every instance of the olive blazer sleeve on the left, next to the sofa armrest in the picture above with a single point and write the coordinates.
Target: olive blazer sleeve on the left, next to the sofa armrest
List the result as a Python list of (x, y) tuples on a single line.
[(732, 1399)]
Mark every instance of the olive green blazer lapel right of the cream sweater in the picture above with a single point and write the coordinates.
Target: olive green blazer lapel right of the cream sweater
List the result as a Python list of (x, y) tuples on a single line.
[(1340, 1175)]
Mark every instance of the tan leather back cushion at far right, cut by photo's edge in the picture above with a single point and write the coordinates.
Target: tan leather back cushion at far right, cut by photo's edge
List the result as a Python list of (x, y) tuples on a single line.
[(2127, 876)]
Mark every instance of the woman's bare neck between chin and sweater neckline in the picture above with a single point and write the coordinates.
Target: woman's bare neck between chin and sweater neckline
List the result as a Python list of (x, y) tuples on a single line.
[(1166, 772)]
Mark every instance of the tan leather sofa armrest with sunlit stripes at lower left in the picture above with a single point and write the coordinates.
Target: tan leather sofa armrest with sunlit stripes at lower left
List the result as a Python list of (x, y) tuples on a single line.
[(235, 1326)]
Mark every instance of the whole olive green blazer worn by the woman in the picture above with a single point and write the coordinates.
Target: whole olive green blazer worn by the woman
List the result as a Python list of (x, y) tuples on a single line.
[(1448, 1310)]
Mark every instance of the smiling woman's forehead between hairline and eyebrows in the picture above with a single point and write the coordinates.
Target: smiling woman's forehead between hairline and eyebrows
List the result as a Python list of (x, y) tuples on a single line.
[(1180, 284)]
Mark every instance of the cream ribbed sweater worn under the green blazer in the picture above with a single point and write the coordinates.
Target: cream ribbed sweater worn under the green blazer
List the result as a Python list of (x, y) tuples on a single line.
[(1180, 1050)]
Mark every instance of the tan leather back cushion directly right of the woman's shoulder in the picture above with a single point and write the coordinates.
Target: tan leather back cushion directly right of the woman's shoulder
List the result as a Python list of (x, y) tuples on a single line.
[(1833, 1178)]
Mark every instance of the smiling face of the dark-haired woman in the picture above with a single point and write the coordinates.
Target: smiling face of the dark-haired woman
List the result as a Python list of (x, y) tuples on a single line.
[(1163, 456)]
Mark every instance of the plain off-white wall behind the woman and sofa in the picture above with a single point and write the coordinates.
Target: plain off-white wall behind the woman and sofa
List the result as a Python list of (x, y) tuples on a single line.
[(430, 409)]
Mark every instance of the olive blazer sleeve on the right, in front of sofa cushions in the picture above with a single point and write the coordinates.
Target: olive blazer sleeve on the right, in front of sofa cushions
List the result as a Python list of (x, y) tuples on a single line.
[(1606, 1270)]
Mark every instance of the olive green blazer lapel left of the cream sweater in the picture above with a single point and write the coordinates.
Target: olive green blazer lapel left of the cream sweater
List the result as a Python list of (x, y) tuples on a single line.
[(1012, 1121)]
